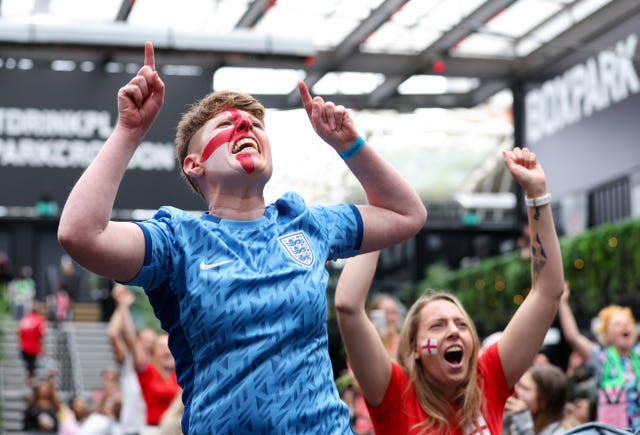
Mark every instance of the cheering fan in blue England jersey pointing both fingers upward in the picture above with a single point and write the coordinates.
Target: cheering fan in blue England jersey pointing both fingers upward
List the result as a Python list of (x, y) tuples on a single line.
[(240, 289)]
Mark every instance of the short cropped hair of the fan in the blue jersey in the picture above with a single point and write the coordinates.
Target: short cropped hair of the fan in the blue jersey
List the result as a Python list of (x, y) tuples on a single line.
[(203, 111)]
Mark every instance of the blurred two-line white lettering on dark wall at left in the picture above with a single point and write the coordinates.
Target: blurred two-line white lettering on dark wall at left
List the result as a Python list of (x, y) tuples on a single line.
[(51, 138)]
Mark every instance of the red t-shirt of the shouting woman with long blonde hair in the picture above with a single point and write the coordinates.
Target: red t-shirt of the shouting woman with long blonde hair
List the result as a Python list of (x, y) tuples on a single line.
[(399, 413)]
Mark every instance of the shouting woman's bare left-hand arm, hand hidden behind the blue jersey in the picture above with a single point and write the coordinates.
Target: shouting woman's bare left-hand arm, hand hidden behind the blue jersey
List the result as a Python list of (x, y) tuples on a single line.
[(369, 360)]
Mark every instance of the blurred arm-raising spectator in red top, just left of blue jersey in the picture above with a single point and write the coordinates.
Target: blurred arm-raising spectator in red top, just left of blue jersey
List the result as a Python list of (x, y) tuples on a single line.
[(155, 368)]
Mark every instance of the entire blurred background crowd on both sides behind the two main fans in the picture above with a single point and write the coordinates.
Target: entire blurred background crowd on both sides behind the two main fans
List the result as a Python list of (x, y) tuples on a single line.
[(139, 393)]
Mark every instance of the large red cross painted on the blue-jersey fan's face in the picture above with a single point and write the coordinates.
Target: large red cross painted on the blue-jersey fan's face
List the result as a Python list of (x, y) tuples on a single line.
[(236, 134)]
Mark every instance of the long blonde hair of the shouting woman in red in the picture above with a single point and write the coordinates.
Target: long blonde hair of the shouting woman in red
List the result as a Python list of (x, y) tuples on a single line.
[(466, 407)]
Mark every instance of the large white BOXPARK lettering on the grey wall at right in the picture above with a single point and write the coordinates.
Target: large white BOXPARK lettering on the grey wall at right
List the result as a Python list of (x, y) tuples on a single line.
[(587, 88)]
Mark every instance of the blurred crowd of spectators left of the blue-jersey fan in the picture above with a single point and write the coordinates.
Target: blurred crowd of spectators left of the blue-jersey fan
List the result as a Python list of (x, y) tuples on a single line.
[(138, 392)]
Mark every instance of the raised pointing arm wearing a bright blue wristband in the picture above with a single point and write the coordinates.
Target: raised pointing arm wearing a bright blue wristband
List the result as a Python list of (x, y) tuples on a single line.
[(395, 212)]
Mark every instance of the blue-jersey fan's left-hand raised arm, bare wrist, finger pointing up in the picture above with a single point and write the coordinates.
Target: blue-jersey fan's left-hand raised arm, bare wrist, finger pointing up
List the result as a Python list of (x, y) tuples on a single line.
[(108, 248)]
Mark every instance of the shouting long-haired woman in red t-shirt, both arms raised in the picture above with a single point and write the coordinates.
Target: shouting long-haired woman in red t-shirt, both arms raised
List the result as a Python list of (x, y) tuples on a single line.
[(441, 384)]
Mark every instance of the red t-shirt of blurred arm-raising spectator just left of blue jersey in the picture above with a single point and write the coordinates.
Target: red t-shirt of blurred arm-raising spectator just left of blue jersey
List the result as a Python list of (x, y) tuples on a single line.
[(157, 391)]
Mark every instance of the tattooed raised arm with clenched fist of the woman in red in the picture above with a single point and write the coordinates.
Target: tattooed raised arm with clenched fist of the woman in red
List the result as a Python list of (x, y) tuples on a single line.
[(525, 333)]
